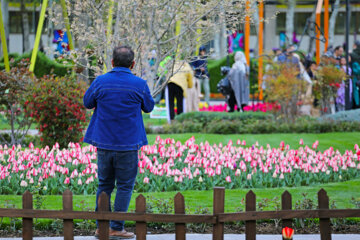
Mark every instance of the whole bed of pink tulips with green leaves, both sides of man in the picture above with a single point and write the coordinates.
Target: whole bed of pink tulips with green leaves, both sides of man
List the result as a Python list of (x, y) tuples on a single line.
[(168, 165)]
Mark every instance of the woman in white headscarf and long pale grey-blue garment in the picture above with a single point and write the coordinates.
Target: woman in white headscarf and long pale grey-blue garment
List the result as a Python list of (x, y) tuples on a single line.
[(238, 78)]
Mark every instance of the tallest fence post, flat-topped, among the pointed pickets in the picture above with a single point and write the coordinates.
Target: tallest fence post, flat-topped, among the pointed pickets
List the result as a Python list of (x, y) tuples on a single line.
[(218, 207)]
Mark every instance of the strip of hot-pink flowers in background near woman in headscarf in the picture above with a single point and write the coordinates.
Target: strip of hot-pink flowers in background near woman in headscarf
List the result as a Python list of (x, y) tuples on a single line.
[(258, 107)]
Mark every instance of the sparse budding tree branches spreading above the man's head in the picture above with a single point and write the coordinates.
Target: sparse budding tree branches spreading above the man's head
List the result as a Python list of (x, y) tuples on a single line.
[(149, 27)]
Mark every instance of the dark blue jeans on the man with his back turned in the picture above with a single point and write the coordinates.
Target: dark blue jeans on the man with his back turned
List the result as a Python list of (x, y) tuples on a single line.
[(120, 167)]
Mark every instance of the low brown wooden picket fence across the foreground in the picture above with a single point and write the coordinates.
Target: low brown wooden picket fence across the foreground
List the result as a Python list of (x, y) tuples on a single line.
[(217, 219)]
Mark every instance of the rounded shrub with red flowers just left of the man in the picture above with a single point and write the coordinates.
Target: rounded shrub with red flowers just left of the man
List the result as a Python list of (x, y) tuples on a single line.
[(55, 103)]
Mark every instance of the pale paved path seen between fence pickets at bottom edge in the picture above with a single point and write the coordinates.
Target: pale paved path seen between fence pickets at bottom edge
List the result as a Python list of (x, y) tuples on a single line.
[(209, 237)]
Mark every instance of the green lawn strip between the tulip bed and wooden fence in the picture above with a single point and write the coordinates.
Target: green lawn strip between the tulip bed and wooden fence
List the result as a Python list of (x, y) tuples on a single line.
[(341, 193)]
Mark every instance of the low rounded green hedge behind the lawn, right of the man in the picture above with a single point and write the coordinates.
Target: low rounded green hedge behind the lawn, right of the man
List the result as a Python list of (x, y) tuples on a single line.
[(250, 123)]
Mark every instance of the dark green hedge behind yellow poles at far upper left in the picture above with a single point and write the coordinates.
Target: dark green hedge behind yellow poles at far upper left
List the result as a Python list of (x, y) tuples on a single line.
[(43, 65)]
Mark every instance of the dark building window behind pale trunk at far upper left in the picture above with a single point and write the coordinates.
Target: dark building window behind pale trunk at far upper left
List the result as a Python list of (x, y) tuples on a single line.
[(15, 21)]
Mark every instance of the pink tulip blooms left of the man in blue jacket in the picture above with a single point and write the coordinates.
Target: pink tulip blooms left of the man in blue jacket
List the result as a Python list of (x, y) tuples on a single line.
[(32, 165)]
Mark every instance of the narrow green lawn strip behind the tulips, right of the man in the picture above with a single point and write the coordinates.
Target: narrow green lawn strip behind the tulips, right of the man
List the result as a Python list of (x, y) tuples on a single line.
[(340, 141)]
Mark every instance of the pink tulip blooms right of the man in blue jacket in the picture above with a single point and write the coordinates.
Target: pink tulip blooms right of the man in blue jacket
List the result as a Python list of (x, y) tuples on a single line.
[(193, 161)]
